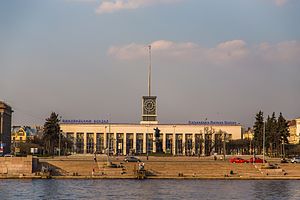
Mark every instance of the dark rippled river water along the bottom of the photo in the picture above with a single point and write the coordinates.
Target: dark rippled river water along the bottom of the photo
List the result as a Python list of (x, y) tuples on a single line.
[(149, 189)]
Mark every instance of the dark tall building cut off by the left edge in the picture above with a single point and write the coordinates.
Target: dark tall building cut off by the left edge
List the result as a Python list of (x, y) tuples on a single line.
[(5, 128)]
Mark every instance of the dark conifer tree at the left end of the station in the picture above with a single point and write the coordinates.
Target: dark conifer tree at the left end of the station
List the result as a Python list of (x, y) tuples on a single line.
[(51, 133)]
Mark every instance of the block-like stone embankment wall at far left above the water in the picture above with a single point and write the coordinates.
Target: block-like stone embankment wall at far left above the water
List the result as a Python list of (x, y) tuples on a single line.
[(17, 165)]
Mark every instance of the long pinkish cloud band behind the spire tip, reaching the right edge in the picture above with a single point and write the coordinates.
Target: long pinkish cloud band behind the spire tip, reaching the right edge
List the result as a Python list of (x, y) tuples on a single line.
[(234, 51)]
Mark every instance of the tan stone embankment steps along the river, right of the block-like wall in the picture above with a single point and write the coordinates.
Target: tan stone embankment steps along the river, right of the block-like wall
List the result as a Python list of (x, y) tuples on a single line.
[(84, 166)]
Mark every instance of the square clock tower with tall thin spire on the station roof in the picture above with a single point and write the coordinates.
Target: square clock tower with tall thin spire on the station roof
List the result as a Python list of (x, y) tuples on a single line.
[(149, 111)]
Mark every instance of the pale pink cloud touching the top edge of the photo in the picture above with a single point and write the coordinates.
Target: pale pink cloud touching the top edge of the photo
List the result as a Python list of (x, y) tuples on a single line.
[(110, 6)]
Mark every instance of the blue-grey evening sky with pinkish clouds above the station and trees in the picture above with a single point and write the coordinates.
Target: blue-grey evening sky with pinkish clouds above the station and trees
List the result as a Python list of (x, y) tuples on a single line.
[(211, 59)]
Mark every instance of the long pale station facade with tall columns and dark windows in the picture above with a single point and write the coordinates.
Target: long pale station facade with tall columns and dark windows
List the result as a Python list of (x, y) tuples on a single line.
[(125, 139)]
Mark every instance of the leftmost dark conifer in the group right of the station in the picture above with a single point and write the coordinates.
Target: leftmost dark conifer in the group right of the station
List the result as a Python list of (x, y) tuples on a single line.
[(258, 131)]
